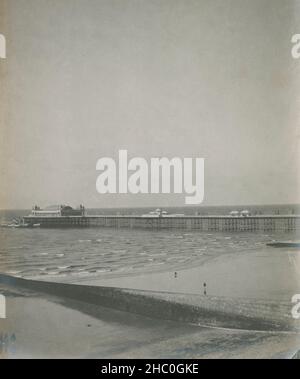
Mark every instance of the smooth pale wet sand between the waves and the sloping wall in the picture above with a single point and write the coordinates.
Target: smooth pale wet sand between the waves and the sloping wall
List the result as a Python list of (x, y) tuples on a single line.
[(266, 274)]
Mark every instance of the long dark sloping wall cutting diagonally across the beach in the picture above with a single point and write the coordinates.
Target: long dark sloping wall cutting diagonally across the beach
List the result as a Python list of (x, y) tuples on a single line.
[(234, 313)]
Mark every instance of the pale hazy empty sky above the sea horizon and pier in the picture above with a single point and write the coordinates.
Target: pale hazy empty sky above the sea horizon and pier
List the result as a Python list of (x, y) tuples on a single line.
[(170, 78)]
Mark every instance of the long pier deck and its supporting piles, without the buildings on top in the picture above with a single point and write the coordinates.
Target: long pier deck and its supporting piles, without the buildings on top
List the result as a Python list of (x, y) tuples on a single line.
[(258, 223)]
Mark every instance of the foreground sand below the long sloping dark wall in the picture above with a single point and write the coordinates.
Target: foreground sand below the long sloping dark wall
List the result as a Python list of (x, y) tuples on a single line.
[(49, 325)]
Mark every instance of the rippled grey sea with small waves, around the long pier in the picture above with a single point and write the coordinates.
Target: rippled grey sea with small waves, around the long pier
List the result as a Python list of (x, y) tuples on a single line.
[(103, 252)]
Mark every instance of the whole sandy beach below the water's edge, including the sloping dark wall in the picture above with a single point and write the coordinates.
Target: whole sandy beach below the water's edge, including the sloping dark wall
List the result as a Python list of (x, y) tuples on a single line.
[(245, 313)]
